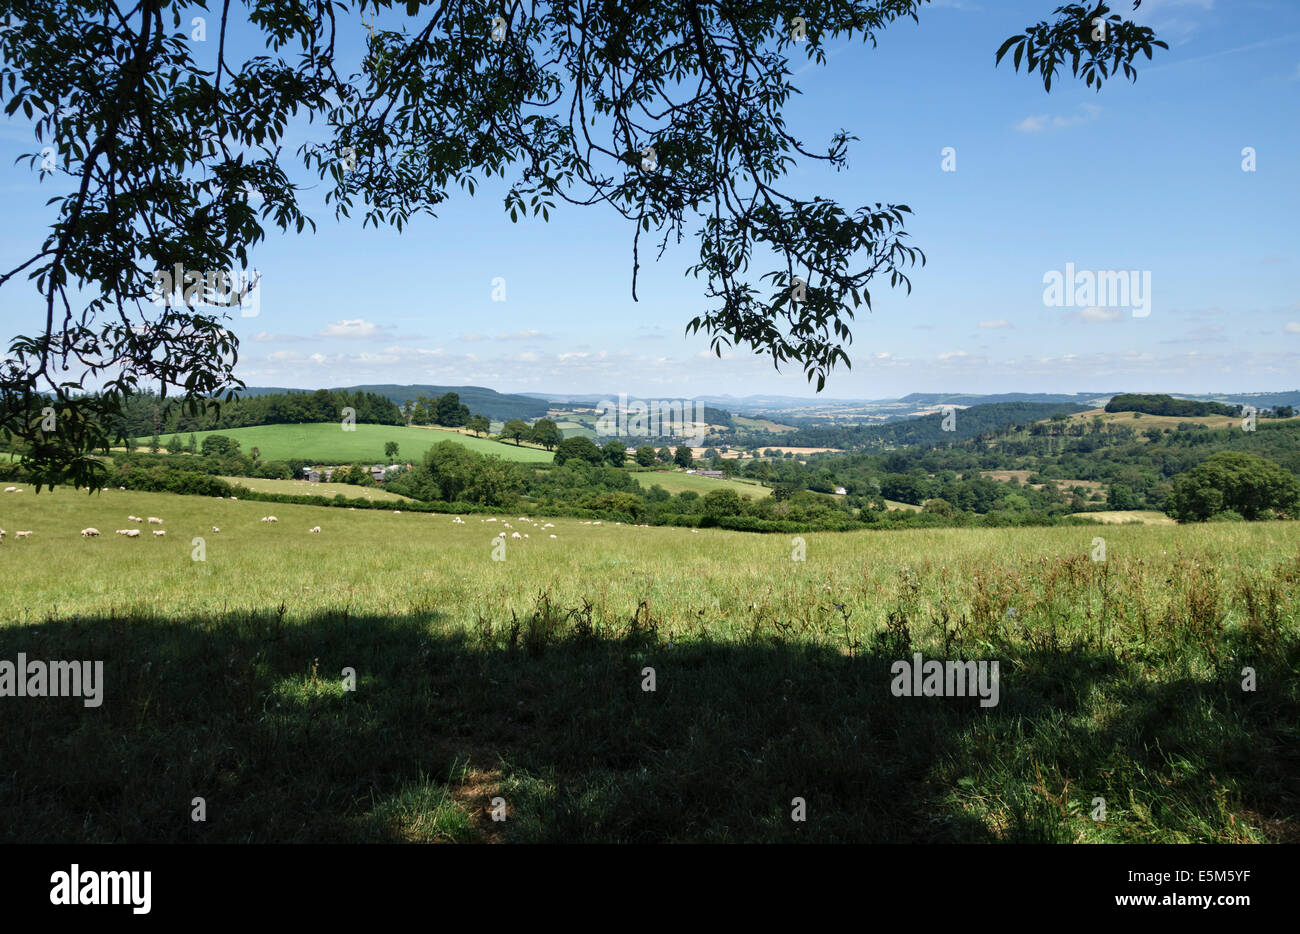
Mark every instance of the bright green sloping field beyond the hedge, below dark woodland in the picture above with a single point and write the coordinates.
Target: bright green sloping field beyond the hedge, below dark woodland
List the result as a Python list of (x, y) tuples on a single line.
[(330, 444)]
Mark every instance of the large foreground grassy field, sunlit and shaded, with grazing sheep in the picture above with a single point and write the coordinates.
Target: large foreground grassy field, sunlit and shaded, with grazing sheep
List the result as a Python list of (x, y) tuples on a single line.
[(523, 680)]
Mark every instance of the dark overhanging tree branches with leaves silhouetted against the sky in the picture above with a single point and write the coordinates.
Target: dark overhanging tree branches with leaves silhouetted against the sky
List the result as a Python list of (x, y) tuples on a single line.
[(669, 113)]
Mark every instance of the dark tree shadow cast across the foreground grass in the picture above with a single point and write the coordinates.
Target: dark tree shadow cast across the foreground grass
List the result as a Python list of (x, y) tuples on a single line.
[(250, 714)]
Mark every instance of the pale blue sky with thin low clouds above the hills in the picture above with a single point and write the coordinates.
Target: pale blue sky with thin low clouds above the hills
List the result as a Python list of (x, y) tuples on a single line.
[(1143, 176)]
